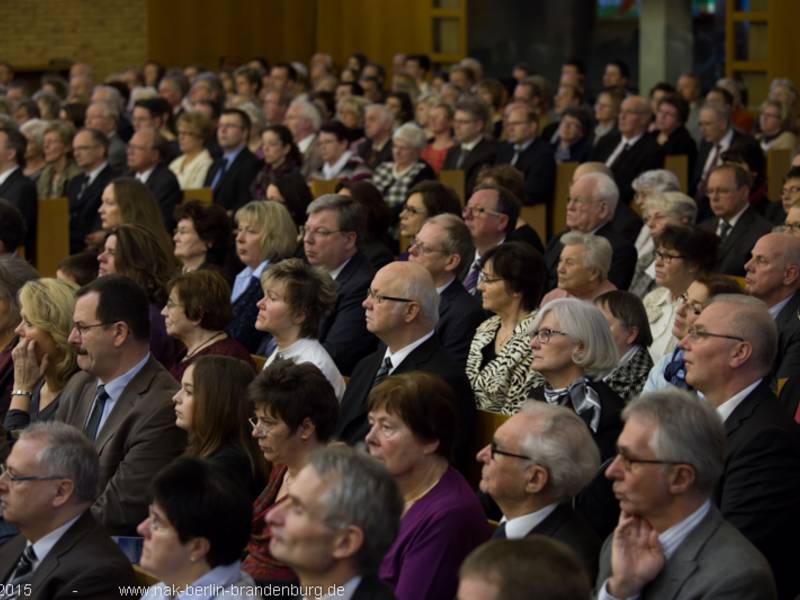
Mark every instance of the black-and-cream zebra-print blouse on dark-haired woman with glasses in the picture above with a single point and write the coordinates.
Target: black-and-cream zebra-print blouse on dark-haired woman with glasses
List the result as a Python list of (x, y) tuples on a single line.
[(502, 384)]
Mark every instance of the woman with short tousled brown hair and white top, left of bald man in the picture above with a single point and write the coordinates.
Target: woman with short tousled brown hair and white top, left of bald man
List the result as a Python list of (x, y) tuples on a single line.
[(296, 299)]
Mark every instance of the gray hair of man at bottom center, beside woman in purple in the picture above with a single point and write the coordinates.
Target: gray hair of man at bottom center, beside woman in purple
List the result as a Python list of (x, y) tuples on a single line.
[(363, 494)]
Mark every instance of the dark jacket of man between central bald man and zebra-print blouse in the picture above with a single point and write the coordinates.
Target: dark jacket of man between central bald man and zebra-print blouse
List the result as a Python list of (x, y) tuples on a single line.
[(459, 317)]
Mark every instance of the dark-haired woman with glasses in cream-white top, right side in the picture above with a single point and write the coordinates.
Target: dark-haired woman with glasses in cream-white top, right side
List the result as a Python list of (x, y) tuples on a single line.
[(683, 253)]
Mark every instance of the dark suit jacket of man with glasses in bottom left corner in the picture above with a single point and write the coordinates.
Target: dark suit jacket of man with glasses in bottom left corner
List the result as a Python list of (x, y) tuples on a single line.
[(84, 563)]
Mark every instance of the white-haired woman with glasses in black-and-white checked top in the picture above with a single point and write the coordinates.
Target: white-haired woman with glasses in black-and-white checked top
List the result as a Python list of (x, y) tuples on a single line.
[(394, 179)]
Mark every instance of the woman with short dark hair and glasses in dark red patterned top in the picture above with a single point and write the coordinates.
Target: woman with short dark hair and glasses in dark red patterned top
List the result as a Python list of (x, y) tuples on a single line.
[(295, 414)]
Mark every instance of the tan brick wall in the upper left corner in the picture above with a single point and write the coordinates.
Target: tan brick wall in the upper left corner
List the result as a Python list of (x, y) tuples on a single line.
[(108, 34)]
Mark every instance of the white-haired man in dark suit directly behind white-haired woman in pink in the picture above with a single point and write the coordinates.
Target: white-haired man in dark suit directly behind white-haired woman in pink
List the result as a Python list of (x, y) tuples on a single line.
[(592, 203)]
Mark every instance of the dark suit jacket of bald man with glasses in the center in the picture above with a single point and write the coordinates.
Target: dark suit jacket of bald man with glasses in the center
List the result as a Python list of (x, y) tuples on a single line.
[(352, 426)]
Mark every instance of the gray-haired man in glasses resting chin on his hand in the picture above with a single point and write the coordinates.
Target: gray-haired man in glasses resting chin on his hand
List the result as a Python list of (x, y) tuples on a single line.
[(671, 542)]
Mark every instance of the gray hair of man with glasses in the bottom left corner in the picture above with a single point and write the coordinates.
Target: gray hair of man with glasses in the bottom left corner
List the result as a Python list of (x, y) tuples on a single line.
[(67, 453)]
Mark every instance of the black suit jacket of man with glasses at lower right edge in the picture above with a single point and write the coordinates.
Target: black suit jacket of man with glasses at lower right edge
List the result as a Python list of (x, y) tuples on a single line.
[(760, 487)]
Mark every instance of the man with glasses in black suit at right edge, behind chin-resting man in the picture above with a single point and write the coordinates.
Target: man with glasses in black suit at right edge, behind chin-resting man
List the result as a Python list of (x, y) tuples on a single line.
[(728, 354)]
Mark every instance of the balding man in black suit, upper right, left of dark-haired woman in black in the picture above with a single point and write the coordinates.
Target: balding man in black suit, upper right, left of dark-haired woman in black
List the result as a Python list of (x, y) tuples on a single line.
[(629, 151)]
